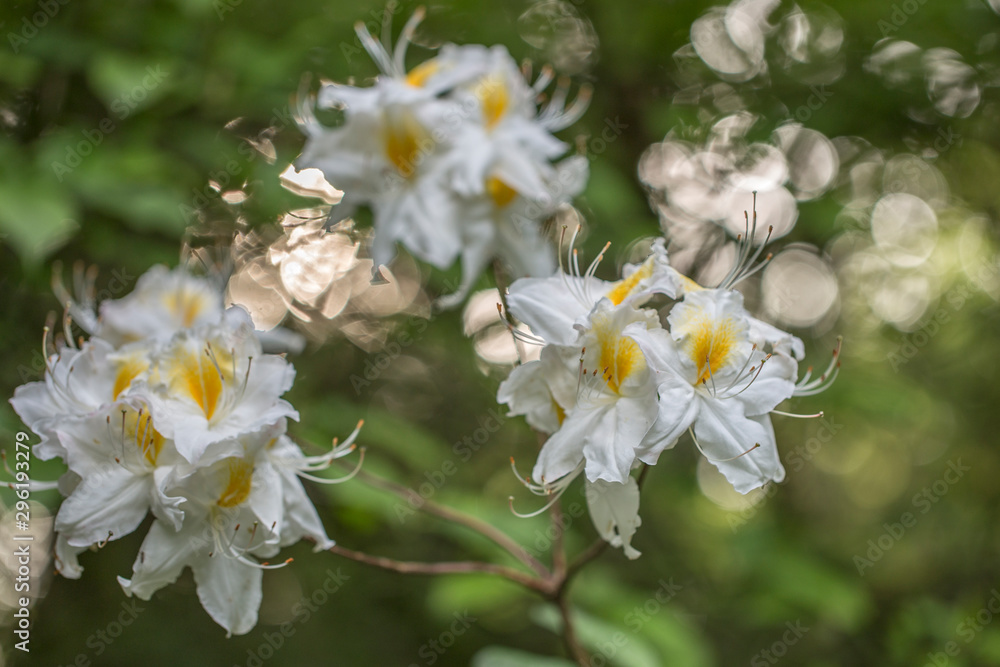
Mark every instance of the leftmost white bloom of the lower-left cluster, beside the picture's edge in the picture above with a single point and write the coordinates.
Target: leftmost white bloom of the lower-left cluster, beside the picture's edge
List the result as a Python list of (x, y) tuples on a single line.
[(77, 382)]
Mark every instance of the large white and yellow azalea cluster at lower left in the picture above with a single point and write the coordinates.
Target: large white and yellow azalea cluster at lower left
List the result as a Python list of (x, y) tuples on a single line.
[(171, 407)]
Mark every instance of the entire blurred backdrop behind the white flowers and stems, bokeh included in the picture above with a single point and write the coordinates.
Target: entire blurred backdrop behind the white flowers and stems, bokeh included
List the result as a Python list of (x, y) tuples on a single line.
[(140, 133)]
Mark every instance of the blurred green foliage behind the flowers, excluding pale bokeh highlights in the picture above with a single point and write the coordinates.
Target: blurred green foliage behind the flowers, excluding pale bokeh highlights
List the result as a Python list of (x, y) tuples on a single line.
[(114, 117)]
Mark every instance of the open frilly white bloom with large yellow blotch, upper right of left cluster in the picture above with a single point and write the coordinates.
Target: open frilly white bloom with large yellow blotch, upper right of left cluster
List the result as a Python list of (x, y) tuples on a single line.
[(214, 383)]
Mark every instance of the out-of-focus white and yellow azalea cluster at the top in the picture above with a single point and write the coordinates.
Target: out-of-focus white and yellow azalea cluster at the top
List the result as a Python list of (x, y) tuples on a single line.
[(454, 157)]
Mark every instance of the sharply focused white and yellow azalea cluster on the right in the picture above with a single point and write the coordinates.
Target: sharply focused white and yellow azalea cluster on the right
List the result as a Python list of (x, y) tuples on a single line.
[(617, 383)]
